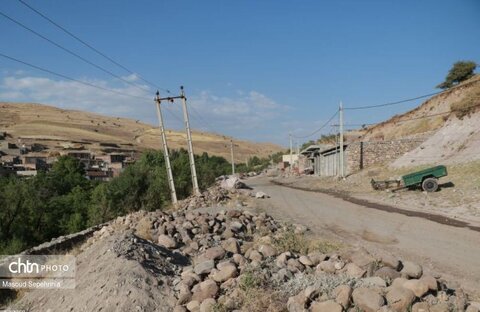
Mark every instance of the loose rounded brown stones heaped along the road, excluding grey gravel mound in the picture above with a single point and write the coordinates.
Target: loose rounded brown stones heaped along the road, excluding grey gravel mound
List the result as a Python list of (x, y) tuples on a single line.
[(231, 251)]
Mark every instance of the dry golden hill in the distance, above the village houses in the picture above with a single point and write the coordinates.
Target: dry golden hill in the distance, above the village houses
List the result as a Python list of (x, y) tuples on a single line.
[(56, 128)]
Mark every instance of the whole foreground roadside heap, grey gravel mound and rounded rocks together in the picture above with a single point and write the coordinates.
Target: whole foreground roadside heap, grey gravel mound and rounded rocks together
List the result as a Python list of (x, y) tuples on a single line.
[(238, 260)]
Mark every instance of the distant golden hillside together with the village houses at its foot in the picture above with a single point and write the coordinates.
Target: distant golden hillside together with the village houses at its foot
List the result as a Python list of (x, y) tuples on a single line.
[(33, 136)]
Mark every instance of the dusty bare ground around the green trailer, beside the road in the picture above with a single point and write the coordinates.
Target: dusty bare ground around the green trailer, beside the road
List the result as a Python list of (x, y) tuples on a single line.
[(458, 197)]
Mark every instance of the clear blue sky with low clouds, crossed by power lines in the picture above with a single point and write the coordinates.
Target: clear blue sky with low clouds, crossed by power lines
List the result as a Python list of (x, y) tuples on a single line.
[(252, 69)]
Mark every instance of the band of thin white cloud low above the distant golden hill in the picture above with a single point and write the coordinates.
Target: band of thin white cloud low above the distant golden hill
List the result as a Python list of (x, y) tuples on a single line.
[(245, 114)]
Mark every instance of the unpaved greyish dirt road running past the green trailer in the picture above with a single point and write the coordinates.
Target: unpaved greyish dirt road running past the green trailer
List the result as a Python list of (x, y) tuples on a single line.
[(452, 252)]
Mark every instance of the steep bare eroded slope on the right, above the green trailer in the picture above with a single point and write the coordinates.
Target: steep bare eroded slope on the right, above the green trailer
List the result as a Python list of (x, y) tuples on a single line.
[(448, 122)]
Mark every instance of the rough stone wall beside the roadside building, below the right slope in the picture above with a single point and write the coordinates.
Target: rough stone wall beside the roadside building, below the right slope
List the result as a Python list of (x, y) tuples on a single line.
[(361, 155)]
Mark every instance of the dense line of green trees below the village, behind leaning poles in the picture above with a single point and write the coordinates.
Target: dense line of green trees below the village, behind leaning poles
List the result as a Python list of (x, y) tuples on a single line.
[(63, 201)]
